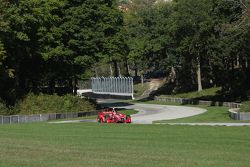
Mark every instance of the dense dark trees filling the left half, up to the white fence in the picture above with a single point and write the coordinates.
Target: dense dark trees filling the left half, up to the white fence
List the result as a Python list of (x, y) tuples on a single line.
[(49, 45)]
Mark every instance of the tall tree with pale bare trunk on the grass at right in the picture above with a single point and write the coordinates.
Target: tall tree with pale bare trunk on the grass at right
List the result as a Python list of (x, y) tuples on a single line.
[(194, 27)]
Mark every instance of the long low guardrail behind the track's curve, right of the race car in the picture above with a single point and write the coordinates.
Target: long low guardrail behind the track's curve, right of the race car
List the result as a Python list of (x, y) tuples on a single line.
[(194, 101)]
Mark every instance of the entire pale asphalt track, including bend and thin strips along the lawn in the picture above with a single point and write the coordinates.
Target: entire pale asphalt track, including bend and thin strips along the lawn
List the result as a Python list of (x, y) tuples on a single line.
[(152, 112)]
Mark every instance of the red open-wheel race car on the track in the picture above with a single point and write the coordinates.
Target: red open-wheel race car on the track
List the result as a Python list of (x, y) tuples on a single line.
[(110, 115)]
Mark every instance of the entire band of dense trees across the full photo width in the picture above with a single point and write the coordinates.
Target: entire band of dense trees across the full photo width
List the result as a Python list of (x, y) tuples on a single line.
[(46, 46)]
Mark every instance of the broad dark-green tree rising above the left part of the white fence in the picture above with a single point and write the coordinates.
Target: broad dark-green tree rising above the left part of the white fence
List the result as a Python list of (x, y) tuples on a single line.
[(92, 31)]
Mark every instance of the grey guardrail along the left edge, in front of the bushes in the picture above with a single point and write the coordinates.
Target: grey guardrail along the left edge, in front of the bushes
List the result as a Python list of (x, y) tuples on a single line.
[(13, 119)]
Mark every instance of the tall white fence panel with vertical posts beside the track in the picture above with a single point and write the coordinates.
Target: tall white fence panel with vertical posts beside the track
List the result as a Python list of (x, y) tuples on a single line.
[(121, 86)]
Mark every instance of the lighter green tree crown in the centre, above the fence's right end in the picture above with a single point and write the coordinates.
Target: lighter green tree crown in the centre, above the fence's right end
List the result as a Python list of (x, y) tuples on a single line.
[(148, 35)]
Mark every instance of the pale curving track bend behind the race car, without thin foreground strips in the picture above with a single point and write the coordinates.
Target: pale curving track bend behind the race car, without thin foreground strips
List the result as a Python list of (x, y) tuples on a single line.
[(153, 112)]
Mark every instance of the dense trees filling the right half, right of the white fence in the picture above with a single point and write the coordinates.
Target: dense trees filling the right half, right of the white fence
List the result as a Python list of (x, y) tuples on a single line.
[(200, 44)]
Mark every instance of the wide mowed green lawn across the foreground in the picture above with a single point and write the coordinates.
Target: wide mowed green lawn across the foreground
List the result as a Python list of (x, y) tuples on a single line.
[(123, 145)]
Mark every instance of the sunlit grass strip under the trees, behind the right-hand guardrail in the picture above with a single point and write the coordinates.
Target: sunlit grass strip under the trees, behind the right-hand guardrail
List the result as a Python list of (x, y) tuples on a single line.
[(196, 94)]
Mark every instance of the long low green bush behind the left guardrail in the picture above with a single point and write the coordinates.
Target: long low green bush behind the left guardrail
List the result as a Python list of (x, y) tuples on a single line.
[(35, 104)]
